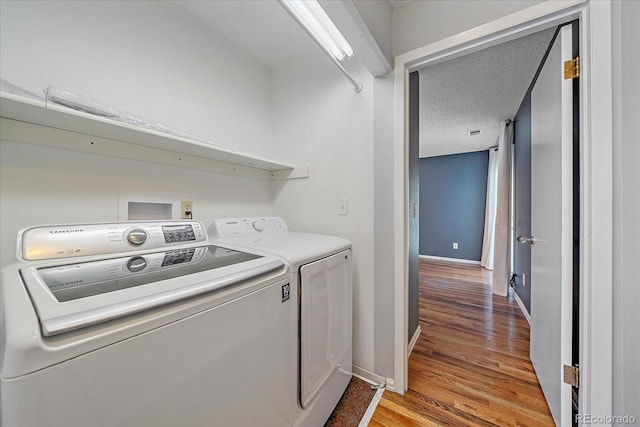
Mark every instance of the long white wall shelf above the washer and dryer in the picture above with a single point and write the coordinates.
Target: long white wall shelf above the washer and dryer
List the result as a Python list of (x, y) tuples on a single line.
[(36, 112)]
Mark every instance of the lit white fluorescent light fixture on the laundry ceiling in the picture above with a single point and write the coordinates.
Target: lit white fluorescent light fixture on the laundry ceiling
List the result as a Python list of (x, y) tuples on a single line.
[(315, 20)]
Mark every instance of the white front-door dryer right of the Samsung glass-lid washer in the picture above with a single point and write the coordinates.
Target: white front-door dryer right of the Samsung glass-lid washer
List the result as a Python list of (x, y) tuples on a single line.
[(321, 283)]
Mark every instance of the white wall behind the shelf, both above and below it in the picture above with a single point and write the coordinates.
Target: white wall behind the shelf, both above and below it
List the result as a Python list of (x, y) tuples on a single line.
[(151, 59)]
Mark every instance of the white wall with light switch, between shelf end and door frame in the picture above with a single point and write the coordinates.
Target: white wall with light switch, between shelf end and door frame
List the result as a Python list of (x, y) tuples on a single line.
[(320, 121)]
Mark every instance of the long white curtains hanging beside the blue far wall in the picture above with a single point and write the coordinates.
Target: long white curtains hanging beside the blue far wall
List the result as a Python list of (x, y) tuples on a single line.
[(495, 251)]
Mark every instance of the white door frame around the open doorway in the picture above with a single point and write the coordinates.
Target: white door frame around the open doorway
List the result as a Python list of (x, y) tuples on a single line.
[(596, 179)]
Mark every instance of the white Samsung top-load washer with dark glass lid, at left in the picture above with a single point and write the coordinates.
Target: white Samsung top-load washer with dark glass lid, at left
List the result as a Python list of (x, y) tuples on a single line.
[(143, 324)]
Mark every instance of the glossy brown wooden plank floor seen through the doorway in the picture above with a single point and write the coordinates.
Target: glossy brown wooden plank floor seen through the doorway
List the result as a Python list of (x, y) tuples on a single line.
[(470, 366)]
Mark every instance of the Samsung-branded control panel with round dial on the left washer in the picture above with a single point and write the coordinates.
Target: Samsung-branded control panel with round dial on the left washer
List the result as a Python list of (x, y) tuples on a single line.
[(67, 241)]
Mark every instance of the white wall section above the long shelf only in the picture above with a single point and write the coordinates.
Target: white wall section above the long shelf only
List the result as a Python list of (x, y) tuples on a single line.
[(148, 58)]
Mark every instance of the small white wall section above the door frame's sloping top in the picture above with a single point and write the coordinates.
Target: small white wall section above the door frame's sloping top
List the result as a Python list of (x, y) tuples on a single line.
[(419, 23)]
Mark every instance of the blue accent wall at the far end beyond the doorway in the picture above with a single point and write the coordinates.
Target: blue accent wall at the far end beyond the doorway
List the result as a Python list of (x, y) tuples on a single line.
[(453, 192)]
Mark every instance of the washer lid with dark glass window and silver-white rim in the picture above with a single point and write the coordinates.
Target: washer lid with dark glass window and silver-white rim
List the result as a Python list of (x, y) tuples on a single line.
[(73, 296)]
